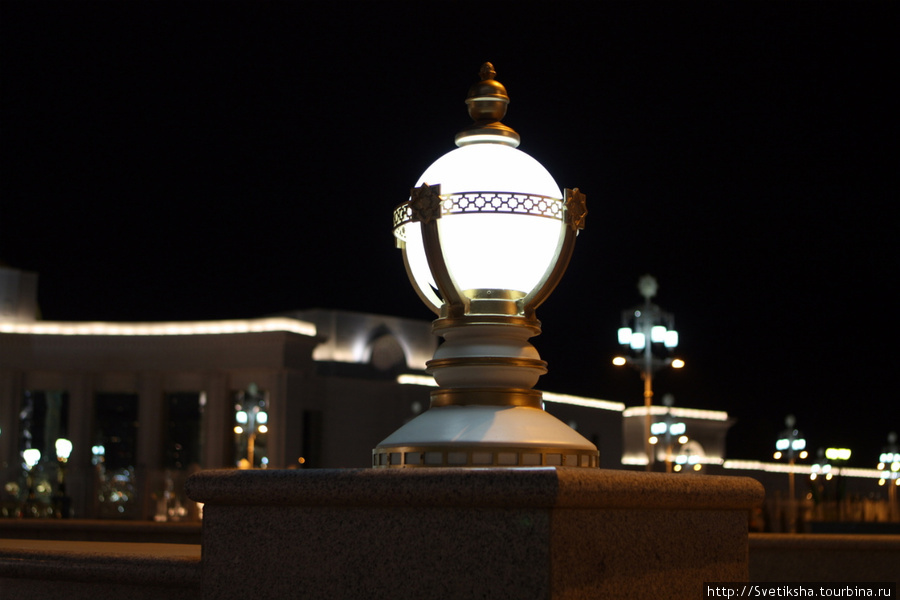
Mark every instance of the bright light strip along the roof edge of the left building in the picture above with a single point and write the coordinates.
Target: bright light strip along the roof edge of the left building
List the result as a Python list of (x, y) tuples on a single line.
[(162, 328)]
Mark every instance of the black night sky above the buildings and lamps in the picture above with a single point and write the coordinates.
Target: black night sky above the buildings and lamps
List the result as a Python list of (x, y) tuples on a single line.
[(176, 161)]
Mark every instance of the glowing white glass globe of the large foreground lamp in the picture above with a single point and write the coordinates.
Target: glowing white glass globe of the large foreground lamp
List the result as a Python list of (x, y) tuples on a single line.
[(497, 250)]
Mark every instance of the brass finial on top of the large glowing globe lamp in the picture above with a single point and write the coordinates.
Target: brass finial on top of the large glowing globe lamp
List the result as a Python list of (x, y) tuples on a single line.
[(487, 101)]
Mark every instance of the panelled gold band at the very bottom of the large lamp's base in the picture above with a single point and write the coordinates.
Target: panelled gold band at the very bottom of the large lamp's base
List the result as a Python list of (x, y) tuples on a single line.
[(412, 457)]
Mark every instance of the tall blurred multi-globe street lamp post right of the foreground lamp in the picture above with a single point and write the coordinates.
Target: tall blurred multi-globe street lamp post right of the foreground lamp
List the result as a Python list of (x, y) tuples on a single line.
[(644, 328)]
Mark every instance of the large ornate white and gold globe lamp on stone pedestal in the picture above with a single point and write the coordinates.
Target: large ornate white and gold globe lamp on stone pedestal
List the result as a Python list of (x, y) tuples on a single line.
[(486, 236)]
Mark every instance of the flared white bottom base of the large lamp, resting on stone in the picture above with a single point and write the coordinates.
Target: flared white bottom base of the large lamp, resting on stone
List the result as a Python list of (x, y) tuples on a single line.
[(485, 436)]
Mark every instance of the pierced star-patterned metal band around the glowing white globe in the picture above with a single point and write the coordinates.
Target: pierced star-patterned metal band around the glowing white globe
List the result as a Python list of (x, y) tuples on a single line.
[(420, 206)]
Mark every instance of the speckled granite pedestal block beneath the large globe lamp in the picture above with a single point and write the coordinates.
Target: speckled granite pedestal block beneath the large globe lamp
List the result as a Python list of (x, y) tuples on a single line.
[(560, 533)]
